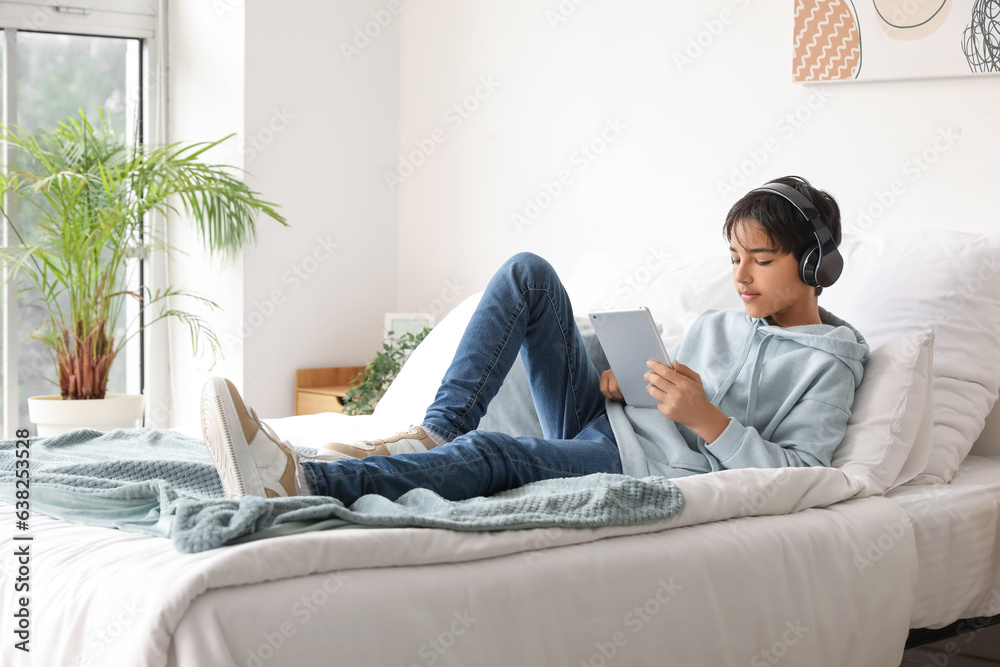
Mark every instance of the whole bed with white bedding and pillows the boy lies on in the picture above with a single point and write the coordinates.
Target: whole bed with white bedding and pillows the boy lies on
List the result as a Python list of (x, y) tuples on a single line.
[(814, 566)]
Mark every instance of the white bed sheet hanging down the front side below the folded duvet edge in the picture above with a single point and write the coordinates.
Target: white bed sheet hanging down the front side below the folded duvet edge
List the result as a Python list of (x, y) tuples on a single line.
[(747, 591)]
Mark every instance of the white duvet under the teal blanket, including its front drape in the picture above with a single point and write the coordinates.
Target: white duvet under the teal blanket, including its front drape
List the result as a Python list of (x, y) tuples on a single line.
[(762, 567)]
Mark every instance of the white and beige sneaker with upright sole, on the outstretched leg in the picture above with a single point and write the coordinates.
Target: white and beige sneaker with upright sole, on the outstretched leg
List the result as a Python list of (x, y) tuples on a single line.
[(250, 457)]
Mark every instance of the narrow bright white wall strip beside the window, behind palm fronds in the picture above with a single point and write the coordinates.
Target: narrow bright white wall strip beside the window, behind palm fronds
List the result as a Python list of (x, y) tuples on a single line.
[(205, 103)]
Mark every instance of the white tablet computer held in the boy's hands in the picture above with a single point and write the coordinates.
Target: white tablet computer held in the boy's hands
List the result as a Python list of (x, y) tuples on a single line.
[(630, 338)]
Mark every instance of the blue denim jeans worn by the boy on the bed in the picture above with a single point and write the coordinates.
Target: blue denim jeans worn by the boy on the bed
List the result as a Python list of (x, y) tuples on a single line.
[(524, 308)]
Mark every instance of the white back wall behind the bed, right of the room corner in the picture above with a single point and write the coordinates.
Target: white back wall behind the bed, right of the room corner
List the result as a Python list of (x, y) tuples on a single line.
[(687, 128)]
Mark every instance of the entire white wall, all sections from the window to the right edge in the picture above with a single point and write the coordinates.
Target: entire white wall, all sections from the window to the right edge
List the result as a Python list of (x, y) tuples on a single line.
[(330, 126)]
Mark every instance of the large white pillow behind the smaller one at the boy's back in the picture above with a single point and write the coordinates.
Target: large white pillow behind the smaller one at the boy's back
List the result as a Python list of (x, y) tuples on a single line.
[(941, 280)]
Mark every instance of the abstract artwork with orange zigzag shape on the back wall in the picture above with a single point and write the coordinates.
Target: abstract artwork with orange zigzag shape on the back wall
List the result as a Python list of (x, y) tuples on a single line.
[(867, 40)]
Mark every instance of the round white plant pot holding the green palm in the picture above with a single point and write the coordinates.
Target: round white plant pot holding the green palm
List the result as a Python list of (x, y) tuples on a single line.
[(52, 415)]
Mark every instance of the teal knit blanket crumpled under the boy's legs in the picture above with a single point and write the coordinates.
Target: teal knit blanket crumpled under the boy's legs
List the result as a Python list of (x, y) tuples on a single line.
[(163, 483)]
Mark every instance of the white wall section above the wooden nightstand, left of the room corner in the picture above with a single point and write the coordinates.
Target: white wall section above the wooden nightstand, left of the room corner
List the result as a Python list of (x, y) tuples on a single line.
[(324, 123)]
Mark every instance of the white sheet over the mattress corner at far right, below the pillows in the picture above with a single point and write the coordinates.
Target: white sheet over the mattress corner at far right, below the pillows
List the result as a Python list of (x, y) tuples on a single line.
[(955, 530)]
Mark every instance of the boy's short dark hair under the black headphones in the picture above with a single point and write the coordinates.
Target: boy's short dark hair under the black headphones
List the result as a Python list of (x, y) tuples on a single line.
[(781, 221)]
